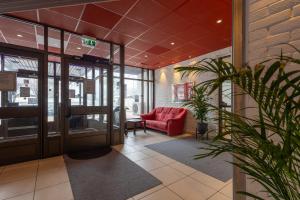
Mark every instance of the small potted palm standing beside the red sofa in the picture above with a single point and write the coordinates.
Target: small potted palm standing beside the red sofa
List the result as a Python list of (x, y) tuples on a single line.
[(199, 105)]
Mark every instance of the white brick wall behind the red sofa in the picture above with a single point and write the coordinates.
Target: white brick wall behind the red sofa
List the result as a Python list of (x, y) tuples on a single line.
[(165, 77)]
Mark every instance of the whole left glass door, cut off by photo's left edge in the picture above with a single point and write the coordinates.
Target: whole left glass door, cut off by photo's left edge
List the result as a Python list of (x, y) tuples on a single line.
[(20, 105)]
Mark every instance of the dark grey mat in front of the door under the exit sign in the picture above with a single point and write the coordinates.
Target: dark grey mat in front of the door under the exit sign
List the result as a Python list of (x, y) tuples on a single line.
[(110, 177)]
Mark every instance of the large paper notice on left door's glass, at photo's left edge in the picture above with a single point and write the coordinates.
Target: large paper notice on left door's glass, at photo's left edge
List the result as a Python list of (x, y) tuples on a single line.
[(8, 81)]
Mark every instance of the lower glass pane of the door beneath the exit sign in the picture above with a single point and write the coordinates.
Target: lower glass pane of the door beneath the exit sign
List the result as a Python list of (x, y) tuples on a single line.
[(88, 124)]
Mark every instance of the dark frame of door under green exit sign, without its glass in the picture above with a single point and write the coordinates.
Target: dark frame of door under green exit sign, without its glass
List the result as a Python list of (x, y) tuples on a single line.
[(67, 110)]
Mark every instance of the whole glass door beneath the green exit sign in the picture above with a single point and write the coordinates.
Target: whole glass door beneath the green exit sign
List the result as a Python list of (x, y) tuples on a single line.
[(87, 107)]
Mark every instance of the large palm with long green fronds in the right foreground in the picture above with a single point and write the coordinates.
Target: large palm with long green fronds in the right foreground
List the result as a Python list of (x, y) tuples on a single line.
[(266, 146)]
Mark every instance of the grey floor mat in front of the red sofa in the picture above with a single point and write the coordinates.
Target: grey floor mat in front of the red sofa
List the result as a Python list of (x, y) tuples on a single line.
[(184, 150)]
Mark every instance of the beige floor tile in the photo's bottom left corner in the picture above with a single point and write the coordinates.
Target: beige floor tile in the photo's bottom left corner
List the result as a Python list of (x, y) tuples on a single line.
[(17, 188)]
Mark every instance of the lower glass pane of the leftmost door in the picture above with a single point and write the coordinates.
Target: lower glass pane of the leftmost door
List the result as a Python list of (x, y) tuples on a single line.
[(18, 127)]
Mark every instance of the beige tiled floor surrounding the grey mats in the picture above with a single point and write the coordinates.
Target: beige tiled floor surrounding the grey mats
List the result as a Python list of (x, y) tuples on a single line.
[(48, 178)]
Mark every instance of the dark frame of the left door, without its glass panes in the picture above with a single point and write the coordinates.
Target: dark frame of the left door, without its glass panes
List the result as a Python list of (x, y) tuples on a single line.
[(28, 148)]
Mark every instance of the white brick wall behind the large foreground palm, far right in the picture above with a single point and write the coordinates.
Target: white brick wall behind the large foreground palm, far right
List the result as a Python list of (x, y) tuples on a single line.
[(270, 23)]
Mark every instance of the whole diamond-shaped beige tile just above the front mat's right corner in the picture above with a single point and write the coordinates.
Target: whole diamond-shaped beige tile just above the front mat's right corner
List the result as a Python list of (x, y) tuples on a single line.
[(167, 175)]
